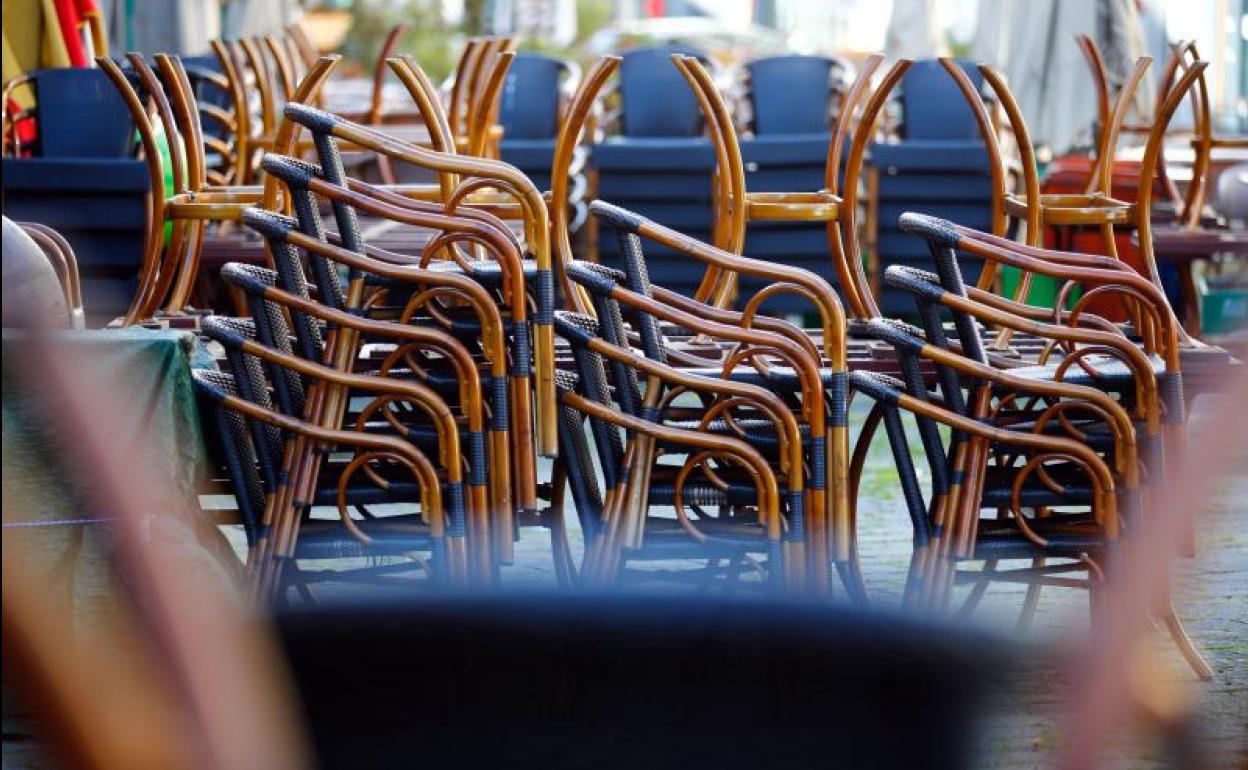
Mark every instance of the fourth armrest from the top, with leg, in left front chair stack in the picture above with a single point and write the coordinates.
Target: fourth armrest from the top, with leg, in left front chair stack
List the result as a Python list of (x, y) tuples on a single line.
[(485, 504)]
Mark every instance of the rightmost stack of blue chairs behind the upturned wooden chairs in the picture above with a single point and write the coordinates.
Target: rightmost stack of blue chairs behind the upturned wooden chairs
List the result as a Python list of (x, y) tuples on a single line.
[(938, 165)]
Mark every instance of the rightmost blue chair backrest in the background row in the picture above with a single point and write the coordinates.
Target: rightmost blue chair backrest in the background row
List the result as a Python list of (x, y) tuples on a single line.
[(933, 107)]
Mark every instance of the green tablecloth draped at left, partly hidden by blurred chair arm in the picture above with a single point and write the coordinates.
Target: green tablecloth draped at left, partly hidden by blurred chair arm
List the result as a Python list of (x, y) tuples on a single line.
[(51, 524)]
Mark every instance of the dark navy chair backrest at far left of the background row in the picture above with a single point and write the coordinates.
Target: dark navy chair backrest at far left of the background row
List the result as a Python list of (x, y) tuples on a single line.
[(82, 115)]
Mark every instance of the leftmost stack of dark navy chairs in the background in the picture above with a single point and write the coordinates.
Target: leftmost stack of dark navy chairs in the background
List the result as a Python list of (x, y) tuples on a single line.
[(83, 180)]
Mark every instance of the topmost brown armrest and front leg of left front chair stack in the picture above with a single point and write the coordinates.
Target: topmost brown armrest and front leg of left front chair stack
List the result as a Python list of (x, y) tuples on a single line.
[(480, 173)]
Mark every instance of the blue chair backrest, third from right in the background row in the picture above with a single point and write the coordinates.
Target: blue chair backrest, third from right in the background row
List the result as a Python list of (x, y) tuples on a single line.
[(657, 99)]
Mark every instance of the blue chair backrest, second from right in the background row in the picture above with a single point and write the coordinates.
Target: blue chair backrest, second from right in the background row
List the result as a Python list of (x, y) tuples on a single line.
[(791, 94)]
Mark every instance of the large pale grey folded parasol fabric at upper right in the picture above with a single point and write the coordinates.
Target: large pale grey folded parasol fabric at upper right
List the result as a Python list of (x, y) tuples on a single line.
[(1034, 43)]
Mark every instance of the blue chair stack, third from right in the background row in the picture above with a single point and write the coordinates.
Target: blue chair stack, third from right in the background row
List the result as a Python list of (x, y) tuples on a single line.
[(660, 164)]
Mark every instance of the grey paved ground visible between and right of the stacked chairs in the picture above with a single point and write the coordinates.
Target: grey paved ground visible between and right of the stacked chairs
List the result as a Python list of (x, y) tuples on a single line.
[(1025, 729)]
